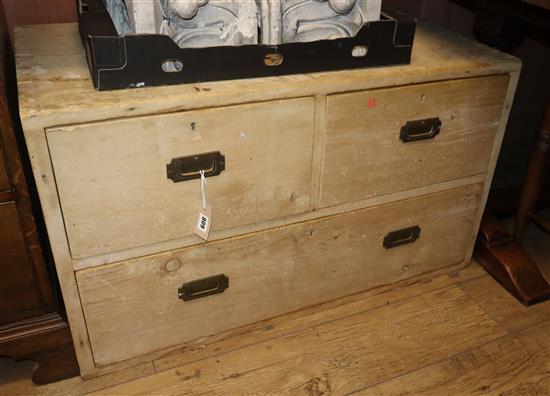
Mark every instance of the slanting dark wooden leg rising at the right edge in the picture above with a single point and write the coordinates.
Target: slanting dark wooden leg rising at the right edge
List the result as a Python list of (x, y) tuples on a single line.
[(534, 181)]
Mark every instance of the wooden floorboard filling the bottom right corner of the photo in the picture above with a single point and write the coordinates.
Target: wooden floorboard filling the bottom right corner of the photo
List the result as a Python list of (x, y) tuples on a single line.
[(513, 365)]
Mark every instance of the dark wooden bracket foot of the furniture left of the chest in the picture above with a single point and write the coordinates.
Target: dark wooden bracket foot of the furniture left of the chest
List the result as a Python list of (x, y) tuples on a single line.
[(45, 340)]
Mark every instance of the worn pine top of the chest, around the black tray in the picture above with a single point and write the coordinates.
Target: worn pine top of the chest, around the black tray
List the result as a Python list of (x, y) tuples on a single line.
[(55, 86)]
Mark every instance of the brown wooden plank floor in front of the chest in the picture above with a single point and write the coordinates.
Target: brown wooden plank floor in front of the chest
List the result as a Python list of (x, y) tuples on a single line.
[(453, 333)]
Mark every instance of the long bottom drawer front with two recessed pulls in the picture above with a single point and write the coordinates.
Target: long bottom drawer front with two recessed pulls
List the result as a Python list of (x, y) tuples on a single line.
[(133, 308)]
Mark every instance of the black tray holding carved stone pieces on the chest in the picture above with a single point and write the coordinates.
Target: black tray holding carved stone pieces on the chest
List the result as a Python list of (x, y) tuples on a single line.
[(133, 61)]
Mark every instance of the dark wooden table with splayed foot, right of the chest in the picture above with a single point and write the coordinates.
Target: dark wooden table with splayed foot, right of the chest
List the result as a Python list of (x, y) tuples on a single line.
[(504, 24)]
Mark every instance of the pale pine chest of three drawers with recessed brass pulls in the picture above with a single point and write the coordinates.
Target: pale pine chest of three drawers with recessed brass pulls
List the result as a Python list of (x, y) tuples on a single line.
[(321, 186)]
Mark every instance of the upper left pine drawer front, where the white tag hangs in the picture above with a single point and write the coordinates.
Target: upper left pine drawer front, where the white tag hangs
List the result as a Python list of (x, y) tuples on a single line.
[(115, 193)]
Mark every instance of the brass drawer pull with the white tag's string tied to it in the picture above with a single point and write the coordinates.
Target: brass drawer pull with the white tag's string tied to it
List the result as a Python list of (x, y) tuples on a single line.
[(188, 168)]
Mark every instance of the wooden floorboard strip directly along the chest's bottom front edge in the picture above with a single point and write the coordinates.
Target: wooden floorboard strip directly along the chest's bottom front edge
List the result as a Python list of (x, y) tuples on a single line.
[(14, 379)]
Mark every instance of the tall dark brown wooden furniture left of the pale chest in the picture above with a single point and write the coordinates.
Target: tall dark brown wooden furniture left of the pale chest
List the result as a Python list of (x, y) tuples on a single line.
[(31, 324)]
